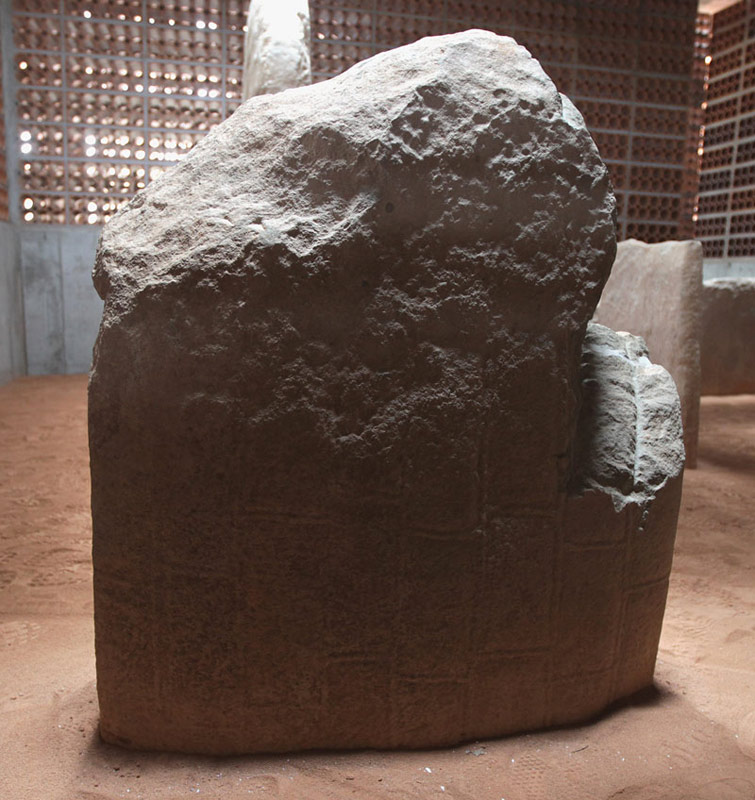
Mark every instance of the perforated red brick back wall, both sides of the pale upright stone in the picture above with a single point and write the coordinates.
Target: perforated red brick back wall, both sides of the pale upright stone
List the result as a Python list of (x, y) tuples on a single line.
[(111, 93)]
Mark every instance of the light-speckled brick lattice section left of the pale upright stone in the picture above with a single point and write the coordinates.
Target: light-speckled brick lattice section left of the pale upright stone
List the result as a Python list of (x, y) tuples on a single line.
[(111, 93)]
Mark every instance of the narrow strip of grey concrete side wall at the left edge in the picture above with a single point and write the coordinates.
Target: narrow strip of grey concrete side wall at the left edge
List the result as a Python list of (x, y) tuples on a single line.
[(12, 348)]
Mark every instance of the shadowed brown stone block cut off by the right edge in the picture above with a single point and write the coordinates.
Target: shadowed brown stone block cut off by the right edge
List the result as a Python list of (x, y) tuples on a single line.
[(727, 337)]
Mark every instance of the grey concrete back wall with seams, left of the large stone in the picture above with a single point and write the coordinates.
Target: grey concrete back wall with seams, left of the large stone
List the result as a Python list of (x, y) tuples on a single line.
[(62, 309)]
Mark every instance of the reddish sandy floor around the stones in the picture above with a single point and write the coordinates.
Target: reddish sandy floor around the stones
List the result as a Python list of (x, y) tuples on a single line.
[(691, 739)]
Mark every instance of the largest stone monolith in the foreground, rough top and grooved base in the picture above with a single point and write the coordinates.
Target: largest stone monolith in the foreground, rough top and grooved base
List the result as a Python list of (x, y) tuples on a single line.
[(352, 483)]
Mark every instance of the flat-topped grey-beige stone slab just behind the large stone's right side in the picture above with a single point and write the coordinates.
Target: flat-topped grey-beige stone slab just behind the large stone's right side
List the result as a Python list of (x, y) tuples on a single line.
[(654, 292)]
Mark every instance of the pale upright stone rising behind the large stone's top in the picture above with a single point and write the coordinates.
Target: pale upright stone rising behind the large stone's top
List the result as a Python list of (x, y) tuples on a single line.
[(276, 47)]
